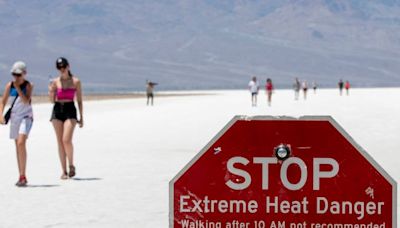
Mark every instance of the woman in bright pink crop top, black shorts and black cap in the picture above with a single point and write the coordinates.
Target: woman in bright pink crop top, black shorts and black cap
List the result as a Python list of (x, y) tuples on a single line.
[(64, 118)]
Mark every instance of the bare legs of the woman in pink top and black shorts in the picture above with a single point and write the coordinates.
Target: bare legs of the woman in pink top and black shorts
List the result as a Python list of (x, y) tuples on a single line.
[(64, 133)]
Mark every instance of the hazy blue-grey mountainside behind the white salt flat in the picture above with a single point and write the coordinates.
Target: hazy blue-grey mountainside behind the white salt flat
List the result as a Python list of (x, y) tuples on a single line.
[(204, 44)]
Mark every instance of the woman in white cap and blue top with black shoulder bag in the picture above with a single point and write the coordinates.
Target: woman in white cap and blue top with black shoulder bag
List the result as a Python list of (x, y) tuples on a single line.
[(19, 115)]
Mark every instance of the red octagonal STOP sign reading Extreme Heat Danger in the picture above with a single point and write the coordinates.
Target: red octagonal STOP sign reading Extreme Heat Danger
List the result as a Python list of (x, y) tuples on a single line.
[(282, 172)]
